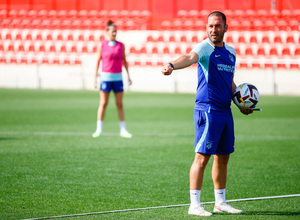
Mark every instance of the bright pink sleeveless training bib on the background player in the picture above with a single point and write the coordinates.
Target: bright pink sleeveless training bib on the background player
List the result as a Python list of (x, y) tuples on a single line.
[(112, 57)]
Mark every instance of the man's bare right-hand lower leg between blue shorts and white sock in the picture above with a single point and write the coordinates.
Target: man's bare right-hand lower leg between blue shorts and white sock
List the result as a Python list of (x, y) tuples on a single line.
[(219, 171)]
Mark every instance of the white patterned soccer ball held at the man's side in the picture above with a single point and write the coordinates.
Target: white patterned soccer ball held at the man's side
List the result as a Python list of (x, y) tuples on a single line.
[(246, 95)]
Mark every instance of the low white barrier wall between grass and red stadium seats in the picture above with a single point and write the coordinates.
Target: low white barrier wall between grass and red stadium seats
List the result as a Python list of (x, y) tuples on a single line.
[(145, 79)]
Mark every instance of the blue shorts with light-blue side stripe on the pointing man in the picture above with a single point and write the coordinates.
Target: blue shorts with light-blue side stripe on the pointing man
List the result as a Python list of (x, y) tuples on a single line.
[(214, 133)]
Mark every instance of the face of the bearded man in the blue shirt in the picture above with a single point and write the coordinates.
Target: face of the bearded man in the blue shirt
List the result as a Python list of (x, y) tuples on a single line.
[(215, 30)]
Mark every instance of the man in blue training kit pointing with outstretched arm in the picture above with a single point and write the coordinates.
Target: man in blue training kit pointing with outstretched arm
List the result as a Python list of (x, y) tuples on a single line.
[(214, 129)]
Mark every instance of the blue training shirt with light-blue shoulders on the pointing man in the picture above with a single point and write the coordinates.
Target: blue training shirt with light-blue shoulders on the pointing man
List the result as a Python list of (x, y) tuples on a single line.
[(216, 67)]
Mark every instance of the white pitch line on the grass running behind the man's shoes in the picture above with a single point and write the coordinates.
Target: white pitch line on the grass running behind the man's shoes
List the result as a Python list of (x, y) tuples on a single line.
[(160, 207)]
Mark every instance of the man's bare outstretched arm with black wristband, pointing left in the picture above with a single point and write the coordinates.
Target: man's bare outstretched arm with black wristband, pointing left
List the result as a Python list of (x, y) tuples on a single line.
[(182, 62)]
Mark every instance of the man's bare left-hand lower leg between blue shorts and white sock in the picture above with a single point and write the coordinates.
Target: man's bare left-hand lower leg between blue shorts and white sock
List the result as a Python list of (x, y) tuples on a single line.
[(197, 170)]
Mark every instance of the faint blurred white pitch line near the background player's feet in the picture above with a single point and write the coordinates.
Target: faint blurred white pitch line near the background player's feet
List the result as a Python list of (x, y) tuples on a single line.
[(50, 133)]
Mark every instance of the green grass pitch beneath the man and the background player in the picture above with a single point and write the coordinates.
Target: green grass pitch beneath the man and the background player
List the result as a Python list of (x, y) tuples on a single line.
[(51, 166)]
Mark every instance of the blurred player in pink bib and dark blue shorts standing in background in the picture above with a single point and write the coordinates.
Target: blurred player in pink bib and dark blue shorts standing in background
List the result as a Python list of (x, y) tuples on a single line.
[(112, 54)]
